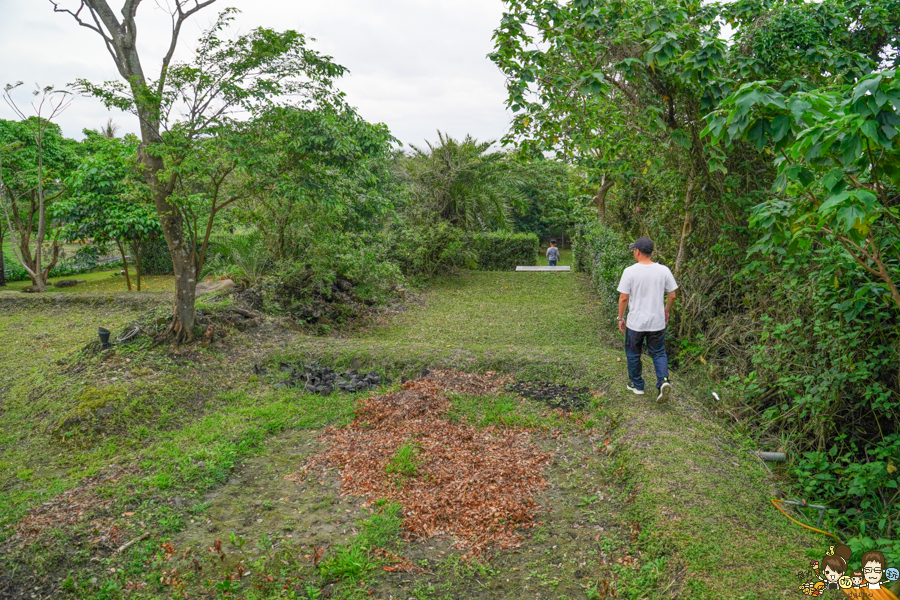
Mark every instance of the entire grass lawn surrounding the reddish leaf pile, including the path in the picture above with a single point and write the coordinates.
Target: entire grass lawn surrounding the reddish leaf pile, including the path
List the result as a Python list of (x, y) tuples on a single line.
[(185, 453)]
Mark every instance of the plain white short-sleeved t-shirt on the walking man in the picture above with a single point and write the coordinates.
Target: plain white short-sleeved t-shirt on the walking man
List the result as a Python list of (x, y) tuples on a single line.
[(647, 286)]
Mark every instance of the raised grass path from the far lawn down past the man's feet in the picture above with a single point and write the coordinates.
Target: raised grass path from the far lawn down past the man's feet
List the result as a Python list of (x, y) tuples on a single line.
[(699, 500)]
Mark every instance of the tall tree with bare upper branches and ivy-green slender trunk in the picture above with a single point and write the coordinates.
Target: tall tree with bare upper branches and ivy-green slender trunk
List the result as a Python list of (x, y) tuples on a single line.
[(185, 103)]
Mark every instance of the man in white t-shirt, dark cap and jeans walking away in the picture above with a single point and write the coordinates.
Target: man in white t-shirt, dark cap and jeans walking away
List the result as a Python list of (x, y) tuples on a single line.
[(642, 289)]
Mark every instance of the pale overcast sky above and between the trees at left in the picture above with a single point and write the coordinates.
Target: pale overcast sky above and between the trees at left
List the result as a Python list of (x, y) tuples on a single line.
[(416, 65)]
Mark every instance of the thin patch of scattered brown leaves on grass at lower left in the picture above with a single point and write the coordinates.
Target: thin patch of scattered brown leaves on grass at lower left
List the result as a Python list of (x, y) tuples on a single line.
[(76, 505)]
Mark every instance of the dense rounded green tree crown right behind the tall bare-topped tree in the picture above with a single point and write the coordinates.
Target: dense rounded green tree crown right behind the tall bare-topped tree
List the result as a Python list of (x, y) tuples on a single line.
[(308, 172)]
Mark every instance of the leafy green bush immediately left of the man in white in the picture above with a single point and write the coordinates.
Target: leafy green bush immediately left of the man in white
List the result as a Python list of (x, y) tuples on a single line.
[(602, 253)]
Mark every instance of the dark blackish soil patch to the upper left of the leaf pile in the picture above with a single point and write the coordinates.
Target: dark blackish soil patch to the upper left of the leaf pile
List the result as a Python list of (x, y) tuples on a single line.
[(317, 379)]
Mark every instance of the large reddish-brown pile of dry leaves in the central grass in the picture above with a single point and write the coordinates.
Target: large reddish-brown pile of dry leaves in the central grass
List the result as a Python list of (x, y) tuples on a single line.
[(476, 485)]
